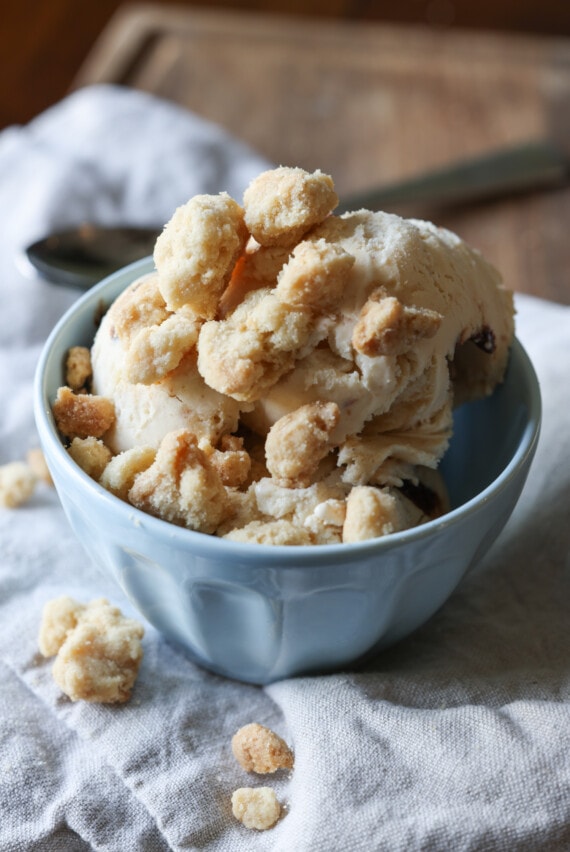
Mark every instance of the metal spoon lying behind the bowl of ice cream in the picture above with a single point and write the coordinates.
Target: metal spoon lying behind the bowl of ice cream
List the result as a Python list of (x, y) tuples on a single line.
[(80, 257)]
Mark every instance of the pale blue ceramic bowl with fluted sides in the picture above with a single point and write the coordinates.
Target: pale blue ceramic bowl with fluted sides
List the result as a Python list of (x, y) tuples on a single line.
[(260, 613)]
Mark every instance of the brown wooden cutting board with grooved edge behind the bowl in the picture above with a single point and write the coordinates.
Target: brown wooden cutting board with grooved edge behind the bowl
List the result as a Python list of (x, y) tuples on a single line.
[(369, 104)]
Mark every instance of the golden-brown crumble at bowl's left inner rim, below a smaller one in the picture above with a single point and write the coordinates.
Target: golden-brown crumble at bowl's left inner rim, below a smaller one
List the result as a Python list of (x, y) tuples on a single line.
[(82, 415)]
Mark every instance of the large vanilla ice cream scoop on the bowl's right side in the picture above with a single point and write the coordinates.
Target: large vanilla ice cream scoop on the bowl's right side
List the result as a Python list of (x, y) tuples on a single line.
[(423, 323)]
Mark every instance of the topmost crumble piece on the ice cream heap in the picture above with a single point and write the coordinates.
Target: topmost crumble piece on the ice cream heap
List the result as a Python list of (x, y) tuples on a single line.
[(282, 204)]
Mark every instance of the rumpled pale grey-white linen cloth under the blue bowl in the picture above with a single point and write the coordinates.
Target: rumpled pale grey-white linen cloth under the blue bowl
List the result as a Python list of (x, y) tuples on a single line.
[(456, 739)]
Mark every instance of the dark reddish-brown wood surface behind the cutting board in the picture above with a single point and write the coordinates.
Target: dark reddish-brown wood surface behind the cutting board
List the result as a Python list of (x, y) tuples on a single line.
[(44, 42)]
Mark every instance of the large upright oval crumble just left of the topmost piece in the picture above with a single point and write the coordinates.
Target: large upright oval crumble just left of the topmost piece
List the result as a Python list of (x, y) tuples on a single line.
[(197, 250)]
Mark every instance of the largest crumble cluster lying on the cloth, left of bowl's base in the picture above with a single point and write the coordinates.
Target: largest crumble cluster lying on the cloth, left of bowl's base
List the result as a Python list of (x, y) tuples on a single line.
[(97, 650)]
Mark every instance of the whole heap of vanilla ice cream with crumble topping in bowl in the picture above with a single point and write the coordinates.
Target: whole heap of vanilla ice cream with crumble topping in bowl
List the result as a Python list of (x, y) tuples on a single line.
[(287, 376)]
